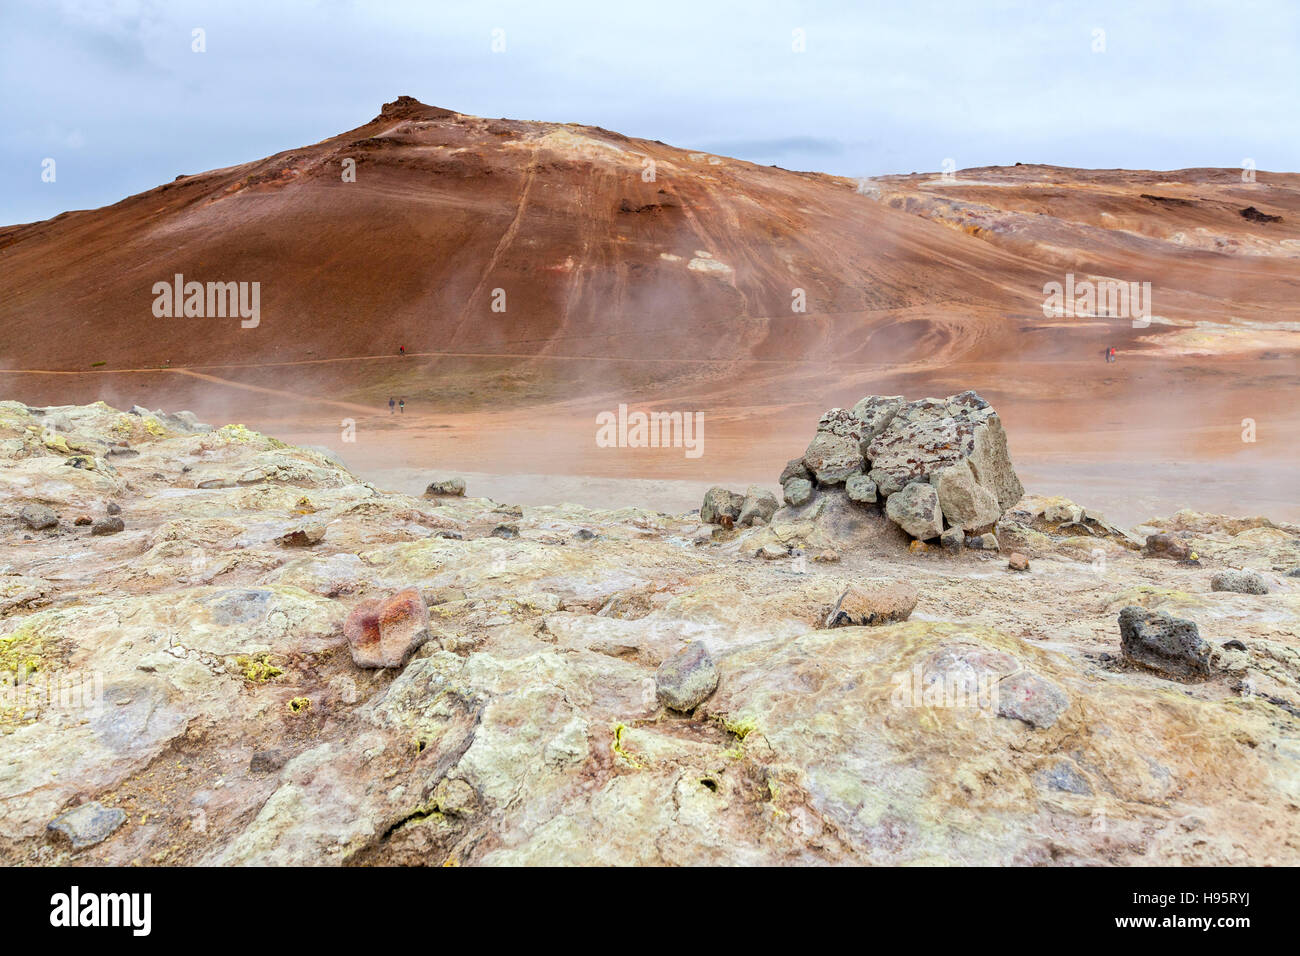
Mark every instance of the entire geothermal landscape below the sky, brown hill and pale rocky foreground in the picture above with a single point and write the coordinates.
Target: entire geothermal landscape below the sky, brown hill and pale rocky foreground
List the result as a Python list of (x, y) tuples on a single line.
[(491, 492)]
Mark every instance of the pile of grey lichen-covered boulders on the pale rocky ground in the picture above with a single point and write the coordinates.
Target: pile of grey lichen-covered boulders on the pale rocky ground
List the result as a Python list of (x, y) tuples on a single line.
[(938, 468)]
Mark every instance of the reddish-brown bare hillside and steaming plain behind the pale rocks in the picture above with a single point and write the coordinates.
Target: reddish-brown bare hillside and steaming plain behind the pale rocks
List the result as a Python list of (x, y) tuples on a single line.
[(677, 295)]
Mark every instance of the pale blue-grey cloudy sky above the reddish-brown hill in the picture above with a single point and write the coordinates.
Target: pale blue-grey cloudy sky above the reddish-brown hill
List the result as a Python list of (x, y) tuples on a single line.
[(115, 93)]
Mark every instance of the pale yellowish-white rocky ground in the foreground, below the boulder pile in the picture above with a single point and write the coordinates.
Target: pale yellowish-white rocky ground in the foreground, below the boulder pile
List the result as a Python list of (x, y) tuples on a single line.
[(613, 686)]
